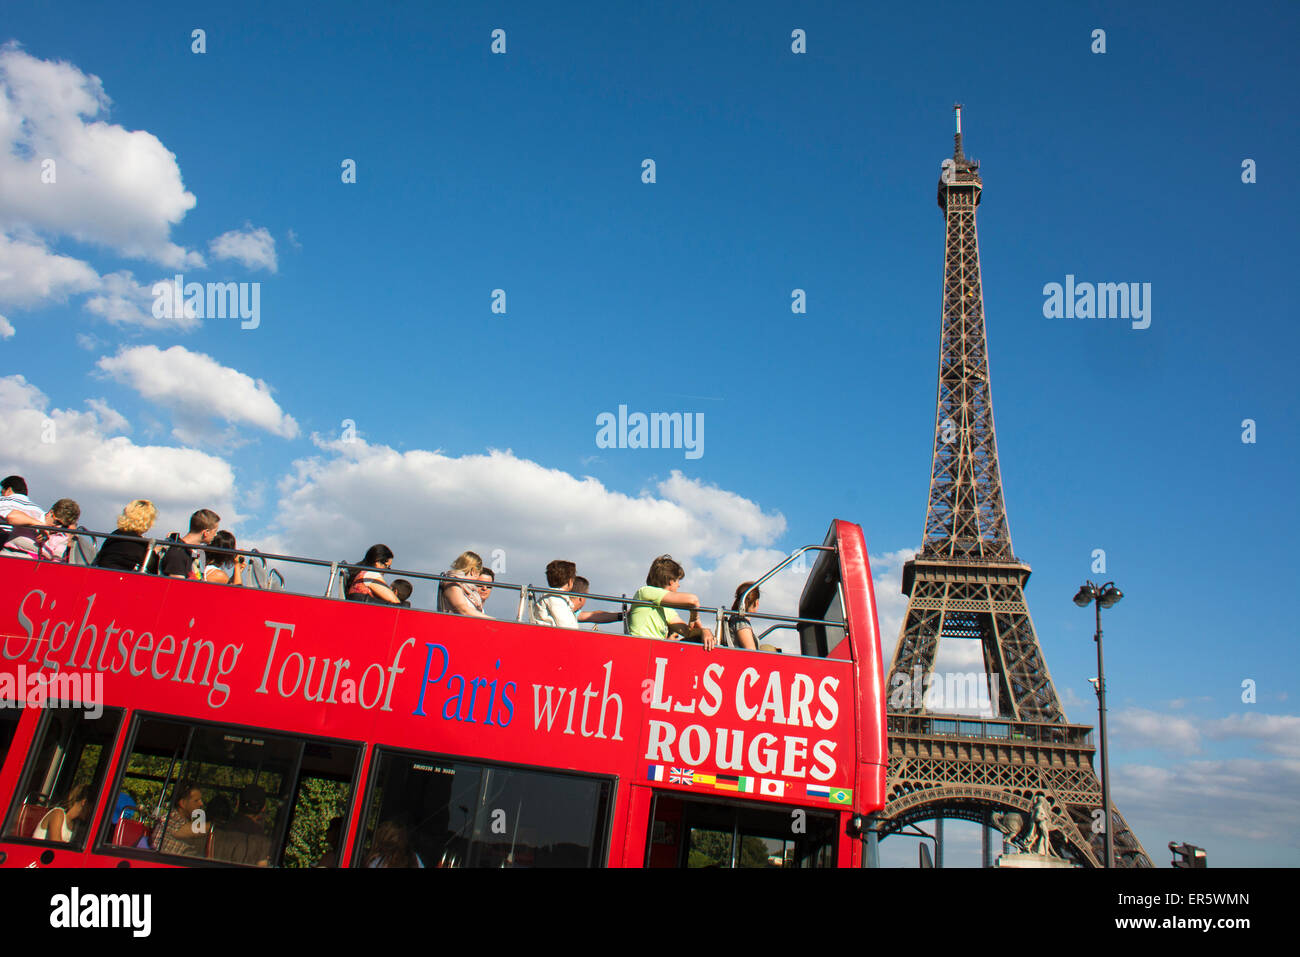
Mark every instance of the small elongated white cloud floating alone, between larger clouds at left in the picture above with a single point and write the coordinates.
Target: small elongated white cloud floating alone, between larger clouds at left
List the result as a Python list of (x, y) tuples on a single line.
[(198, 389)]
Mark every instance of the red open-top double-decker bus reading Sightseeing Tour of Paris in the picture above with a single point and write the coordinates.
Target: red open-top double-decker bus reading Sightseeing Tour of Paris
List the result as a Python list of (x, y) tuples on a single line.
[(358, 735)]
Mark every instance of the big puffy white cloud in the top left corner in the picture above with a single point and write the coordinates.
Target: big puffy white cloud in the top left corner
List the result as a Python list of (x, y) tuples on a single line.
[(116, 188)]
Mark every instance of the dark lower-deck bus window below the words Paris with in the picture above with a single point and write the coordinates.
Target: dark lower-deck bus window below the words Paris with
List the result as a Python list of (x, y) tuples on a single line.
[(431, 812)]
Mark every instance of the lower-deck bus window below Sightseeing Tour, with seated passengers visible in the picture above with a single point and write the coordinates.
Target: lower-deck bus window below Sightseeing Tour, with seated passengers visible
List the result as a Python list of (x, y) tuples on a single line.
[(226, 794)]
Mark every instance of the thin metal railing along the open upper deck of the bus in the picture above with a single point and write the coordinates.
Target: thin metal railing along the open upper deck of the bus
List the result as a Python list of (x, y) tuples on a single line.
[(272, 579)]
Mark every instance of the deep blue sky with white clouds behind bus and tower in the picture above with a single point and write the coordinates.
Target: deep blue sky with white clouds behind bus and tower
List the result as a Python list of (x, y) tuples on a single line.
[(774, 172)]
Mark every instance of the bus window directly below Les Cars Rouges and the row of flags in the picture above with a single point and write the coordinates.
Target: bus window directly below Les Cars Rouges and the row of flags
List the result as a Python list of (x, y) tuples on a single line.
[(705, 834)]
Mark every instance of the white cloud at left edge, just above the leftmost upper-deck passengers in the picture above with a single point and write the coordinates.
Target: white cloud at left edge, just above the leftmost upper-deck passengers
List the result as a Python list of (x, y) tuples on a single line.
[(103, 473)]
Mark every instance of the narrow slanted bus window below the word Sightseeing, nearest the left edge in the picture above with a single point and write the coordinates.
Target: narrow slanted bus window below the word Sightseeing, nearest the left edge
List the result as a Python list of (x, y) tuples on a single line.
[(68, 761)]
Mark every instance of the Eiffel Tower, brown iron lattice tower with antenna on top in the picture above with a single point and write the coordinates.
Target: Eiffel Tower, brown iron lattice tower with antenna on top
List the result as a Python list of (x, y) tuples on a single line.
[(968, 583)]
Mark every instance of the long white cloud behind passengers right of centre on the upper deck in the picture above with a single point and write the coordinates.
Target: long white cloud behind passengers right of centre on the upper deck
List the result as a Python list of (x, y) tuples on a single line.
[(428, 508)]
